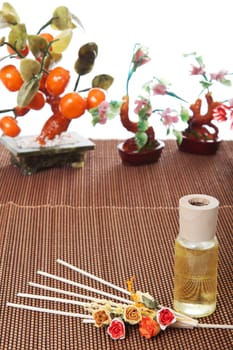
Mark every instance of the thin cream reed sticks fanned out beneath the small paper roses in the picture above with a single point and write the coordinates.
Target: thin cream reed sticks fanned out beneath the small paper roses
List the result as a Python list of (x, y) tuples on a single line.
[(91, 303)]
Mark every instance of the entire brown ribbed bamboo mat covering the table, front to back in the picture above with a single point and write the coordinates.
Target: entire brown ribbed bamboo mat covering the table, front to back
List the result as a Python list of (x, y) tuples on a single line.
[(114, 221)]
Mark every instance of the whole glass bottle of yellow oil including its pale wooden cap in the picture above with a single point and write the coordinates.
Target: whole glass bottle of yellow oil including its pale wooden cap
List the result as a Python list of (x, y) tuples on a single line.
[(196, 256)]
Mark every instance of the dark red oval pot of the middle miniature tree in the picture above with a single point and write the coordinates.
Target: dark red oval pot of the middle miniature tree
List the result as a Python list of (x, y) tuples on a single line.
[(141, 158)]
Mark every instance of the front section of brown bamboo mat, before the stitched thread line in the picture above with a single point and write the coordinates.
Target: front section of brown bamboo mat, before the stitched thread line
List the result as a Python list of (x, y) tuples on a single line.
[(130, 242)]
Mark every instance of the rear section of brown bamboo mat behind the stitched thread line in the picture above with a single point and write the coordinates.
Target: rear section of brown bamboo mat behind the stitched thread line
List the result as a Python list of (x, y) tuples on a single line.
[(104, 181)]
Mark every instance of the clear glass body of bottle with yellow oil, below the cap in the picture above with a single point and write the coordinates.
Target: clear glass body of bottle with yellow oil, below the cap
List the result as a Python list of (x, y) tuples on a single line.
[(195, 277)]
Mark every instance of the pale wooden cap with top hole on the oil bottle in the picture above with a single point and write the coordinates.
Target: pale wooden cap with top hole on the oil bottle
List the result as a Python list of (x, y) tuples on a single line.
[(198, 215)]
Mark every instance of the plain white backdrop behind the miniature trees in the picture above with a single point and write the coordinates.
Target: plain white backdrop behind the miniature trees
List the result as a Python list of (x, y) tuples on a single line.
[(169, 28)]
